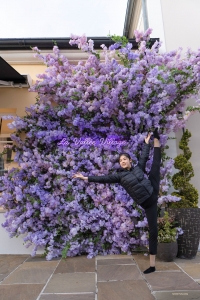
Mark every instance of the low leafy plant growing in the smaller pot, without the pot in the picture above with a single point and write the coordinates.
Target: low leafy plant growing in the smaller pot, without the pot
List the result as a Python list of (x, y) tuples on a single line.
[(167, 229)]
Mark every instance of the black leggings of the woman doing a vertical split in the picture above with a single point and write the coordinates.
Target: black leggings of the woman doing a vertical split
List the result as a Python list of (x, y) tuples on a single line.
[(150, 205)]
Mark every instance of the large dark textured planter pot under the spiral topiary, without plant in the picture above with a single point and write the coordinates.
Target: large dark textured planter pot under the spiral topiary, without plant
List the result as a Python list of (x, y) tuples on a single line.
[(189, 220)]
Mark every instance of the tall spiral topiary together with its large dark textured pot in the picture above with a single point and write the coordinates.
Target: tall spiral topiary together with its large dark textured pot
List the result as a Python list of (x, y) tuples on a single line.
[(185, 211)]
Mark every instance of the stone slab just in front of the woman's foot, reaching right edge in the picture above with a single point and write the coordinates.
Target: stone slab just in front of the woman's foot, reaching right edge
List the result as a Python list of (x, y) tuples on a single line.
[(171, 281)]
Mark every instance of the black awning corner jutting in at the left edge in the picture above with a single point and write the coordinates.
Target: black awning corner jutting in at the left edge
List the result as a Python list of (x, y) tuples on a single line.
[(9, 74)]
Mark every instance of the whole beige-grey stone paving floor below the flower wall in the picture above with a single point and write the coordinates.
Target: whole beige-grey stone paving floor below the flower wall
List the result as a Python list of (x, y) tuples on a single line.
[(113, 277)]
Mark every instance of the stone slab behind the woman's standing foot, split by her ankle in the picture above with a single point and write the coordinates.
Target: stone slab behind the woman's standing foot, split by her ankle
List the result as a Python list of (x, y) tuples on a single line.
[(143, 264)]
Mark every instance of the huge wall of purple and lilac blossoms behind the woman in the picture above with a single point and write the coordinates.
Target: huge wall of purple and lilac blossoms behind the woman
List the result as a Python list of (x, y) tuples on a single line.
[(117, 93)]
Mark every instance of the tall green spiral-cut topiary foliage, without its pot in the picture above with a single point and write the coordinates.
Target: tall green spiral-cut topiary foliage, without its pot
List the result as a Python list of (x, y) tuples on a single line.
[(185, 190)]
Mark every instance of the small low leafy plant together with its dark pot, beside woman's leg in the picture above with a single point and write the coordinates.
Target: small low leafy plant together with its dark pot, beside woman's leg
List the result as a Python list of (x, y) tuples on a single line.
[(167, 237)]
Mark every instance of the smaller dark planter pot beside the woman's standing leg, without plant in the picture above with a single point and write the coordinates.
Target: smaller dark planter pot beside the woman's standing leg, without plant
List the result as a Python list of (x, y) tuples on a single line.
[(167, 251)]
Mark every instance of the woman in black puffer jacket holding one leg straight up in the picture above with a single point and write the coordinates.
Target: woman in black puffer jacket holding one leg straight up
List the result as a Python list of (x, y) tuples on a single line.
[(143, 191)]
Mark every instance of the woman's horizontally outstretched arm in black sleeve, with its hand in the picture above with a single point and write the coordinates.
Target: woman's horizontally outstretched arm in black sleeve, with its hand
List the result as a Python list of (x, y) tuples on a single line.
[(110, 178)]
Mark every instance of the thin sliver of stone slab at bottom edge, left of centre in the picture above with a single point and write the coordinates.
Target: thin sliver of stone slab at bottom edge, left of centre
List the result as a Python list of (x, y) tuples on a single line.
[(67, 297)]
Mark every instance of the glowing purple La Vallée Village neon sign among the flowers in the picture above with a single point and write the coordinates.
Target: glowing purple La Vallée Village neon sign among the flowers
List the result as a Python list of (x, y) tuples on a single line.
[(111, 141)]
